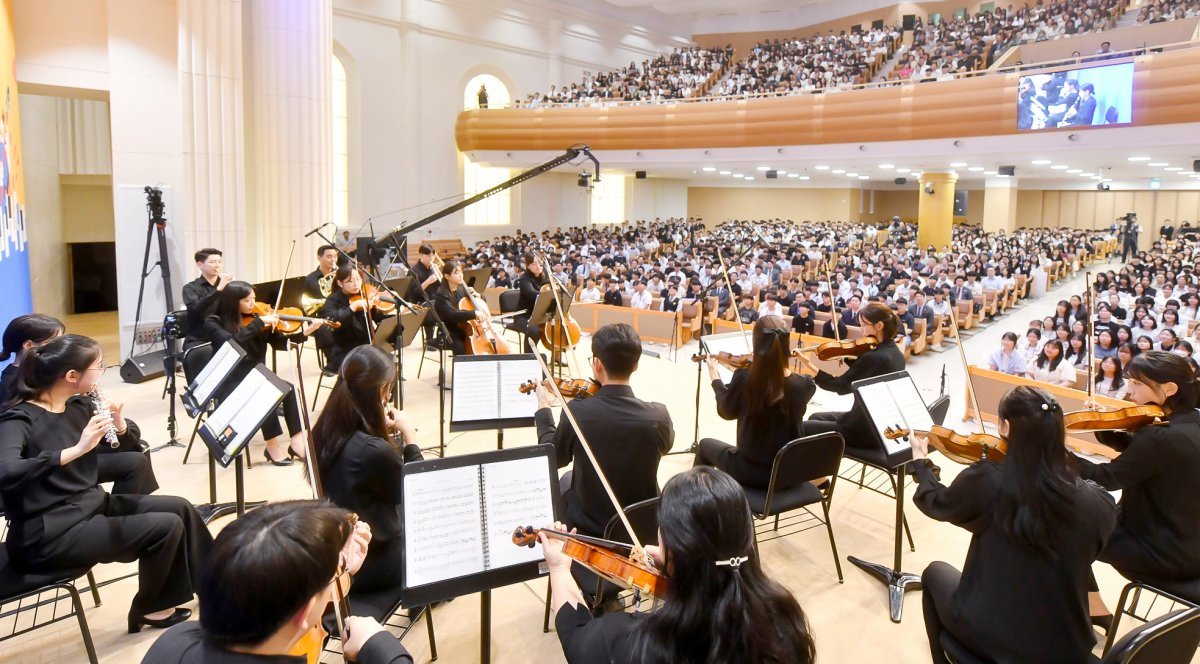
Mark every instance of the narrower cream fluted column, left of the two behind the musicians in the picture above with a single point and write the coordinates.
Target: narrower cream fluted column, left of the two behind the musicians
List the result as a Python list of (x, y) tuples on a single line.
[(211, 85)]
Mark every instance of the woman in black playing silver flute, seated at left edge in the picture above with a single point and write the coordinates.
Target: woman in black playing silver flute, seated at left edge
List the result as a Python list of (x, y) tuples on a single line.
[(59, 517)]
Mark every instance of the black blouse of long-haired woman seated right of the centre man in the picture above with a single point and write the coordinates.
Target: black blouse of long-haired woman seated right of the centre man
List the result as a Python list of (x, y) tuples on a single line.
[(761, 436)]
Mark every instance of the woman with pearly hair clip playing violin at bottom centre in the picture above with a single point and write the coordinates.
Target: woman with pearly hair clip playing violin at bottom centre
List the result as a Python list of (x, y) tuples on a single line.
[(719, 606)]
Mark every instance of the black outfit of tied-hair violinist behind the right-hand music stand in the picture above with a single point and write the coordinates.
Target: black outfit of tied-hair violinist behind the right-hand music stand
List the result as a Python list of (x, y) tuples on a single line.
[(855, 426)]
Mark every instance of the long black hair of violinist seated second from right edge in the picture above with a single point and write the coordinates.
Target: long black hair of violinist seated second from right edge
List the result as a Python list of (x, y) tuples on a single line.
[(1037, 482)]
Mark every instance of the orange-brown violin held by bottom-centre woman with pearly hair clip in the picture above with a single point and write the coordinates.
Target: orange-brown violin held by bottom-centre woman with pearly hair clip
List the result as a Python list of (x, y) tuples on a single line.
[(611, 560)]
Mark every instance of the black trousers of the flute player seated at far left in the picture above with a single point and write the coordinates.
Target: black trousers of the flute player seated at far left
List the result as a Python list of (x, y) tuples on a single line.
[(164, 534)]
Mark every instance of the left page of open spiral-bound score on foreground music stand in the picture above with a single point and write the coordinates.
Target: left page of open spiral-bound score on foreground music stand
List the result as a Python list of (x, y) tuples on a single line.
[(442, 527)]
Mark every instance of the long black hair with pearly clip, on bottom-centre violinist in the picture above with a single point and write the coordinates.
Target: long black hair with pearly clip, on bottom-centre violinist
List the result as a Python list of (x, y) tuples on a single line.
[(713, 613)]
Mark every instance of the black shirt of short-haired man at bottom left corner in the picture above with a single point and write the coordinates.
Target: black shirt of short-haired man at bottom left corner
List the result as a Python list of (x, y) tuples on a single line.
[(185, 644)]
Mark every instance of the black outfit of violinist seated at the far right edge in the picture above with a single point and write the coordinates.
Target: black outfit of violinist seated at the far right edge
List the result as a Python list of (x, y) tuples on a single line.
[(1159, 475)]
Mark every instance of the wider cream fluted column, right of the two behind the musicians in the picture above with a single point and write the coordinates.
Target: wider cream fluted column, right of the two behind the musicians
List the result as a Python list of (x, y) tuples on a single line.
[(290, 147)]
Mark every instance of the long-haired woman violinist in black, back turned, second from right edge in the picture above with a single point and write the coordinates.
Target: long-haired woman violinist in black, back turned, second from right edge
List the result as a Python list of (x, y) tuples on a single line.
[(1036, 529)]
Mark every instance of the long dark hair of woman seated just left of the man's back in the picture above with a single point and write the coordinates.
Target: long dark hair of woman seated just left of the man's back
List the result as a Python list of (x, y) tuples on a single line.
[(356, 404)]
